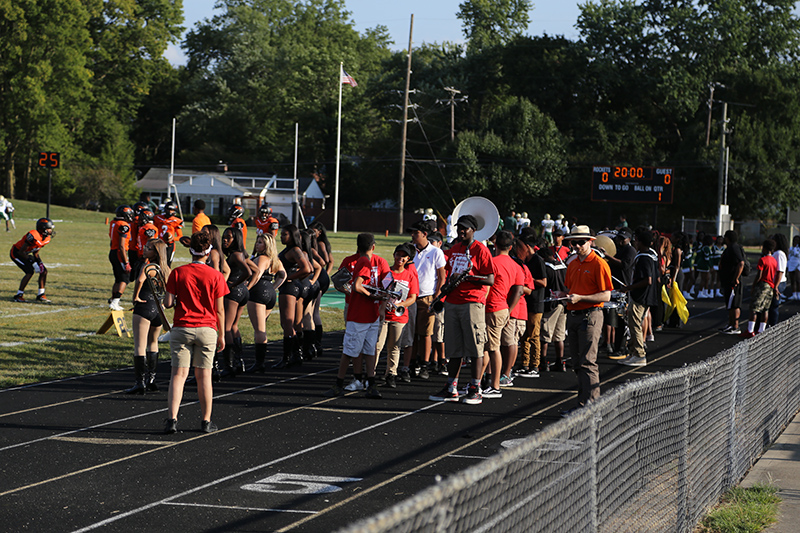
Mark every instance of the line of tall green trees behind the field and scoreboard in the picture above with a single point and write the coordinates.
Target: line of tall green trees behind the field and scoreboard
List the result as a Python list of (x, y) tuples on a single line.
[(88, 78)]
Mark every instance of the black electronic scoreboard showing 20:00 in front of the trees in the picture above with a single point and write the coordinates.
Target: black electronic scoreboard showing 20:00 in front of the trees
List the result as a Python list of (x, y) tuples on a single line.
[(652, 185)]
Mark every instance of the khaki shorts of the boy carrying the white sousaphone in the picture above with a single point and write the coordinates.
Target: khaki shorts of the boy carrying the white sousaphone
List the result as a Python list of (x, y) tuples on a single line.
[(464, 330)]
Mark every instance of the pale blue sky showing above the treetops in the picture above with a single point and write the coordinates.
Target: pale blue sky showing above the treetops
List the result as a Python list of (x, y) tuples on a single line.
[(434, 20)]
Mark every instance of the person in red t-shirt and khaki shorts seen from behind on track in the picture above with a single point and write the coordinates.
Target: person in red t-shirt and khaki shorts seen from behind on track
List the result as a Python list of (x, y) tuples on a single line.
[(197, 292)]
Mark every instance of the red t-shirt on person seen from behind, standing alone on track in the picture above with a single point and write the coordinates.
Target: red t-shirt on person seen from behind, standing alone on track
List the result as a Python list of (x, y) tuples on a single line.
[(197, 287)]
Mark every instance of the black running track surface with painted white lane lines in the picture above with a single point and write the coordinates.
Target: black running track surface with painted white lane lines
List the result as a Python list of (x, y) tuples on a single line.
[(78, 454)]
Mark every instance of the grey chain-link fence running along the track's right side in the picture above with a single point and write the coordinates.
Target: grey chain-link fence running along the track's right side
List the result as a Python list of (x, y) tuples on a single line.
[(650, 455)]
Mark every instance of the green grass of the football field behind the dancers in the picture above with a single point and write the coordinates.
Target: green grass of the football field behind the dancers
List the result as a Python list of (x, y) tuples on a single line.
[(42, 342)]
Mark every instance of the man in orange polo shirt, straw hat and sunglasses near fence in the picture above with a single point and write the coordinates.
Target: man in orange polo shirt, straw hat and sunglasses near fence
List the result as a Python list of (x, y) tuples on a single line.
[(588, 284)]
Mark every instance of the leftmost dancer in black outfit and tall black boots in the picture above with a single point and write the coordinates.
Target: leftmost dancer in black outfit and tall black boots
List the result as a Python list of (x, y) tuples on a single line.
[(146, 320)]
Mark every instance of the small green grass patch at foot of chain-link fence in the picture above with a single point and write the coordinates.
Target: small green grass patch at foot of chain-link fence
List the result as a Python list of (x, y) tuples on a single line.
[(743, 511)]
